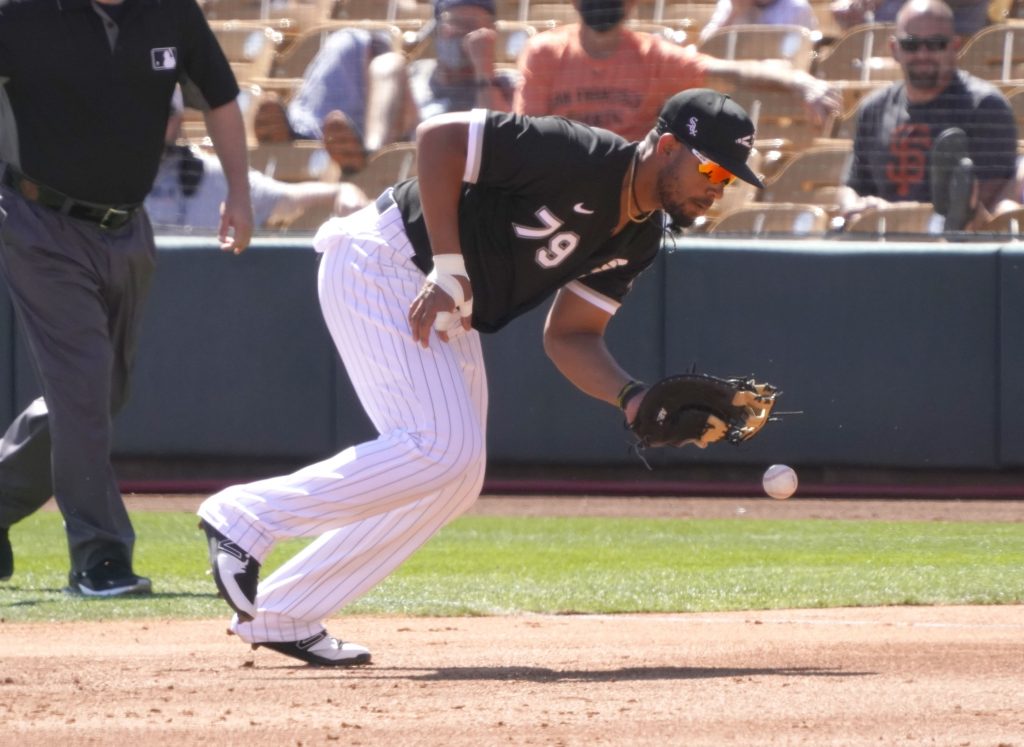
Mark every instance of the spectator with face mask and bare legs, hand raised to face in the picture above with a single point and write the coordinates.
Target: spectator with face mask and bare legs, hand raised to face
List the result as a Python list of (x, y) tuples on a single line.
[(460, 77)]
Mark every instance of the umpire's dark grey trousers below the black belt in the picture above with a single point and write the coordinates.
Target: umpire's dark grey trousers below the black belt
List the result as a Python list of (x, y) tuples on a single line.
[(78, 293)]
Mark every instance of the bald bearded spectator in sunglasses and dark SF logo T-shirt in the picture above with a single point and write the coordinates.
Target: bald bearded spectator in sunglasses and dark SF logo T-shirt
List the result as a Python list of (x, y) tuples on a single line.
[(893, 155)]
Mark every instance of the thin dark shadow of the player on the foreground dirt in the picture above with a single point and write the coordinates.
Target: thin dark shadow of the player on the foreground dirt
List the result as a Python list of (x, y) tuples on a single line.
[(542, 675)]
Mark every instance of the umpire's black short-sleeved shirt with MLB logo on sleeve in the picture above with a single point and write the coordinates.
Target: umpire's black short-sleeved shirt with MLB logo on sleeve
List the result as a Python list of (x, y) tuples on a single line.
[(88, 95)]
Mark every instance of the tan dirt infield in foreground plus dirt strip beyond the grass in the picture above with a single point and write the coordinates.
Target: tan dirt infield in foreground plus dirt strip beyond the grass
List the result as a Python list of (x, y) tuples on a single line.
[(851, 677)]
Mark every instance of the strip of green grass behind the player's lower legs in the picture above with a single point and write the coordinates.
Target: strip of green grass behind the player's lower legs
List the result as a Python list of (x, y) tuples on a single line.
[(497, 566)]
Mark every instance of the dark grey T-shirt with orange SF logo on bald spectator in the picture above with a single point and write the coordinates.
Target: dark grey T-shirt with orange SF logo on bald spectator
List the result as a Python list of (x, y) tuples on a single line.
[(893, 143)]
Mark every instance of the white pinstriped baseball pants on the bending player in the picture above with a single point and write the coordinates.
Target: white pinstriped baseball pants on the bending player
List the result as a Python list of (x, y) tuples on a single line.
[(371, 507)]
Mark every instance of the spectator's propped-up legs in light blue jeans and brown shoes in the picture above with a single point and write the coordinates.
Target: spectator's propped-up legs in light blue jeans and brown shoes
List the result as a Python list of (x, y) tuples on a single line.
[(331, 104)]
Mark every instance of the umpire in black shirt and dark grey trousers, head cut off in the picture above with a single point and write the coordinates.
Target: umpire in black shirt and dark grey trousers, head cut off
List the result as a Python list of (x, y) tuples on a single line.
[(84, 103)]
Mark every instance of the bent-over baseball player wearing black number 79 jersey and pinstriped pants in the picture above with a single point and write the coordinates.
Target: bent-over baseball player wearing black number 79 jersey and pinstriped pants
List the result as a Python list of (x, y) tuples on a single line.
[(517, 209)]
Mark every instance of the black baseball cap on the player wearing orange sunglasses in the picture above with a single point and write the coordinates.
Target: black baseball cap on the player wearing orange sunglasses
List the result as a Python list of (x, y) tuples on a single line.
[(715, 126)]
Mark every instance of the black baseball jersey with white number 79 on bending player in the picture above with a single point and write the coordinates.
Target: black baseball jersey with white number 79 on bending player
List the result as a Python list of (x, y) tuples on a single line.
[(540, 201)]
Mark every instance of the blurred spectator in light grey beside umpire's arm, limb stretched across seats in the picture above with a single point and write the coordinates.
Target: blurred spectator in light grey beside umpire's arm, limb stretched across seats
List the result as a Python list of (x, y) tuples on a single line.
[(191, 187)]
